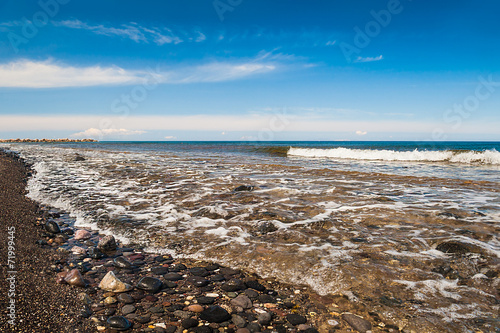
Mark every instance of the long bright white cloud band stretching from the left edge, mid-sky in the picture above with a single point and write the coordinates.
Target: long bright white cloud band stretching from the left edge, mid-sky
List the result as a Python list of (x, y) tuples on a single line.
[(50, 74)]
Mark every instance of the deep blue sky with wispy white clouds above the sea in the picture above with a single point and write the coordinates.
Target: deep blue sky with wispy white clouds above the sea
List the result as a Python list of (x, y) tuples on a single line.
[(250, 70)]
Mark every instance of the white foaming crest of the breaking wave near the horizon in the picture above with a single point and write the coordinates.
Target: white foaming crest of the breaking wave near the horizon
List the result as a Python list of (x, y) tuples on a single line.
[(483, 157)]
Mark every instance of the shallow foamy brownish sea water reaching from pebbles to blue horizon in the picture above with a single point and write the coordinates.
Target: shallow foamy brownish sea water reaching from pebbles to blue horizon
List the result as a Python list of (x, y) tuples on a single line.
[(408, 228)]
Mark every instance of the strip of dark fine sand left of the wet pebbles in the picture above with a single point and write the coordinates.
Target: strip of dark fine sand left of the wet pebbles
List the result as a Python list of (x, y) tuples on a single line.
[(41, 305)]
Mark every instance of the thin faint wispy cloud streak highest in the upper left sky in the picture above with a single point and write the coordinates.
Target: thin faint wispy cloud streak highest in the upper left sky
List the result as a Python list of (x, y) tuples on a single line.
[(137, 32)]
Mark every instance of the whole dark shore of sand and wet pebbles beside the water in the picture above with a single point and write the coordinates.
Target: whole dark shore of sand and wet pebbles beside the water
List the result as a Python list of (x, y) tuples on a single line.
[(75, 280)]
